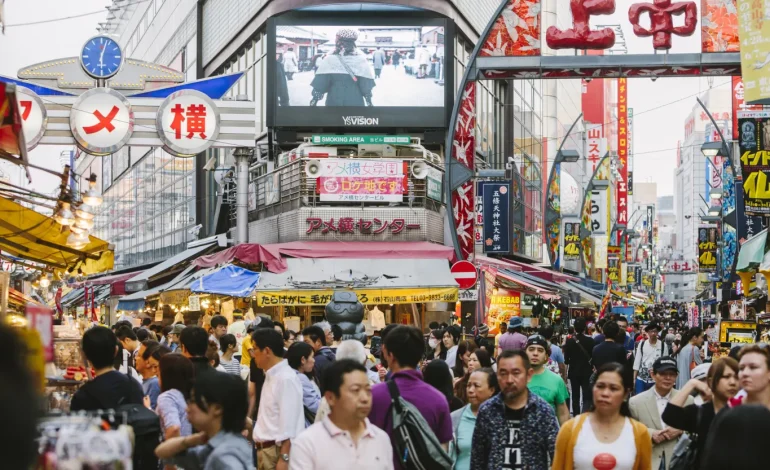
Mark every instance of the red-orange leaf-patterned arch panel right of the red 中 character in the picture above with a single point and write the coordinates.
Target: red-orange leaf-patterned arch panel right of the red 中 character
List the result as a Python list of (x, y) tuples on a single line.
[(719, 26)]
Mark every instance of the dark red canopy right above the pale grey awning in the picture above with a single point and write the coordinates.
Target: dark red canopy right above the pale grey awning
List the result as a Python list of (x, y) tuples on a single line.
[(273, 256)]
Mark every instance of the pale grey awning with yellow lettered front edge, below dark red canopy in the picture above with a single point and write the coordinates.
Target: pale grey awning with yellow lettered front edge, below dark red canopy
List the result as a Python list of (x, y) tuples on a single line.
[(376, 281)]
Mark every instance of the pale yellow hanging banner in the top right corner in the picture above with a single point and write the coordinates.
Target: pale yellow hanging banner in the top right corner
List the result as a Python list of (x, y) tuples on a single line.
[(754, 31)]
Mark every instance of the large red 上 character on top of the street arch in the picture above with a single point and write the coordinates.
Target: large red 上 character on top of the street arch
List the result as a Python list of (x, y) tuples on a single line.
[(581, 36)]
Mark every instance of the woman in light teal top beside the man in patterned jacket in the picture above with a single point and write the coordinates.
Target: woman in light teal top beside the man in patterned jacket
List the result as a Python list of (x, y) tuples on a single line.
[(481, 386)]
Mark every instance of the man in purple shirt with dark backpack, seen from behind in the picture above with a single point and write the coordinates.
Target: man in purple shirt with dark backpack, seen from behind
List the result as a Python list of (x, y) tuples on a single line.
[(403, 349)]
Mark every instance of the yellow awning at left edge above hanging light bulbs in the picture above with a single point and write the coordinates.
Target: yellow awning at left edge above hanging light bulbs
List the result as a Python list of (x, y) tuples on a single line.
[(33, 236)]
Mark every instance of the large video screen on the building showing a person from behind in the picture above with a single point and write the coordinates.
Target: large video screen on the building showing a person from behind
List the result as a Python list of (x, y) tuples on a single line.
[(388, 74)]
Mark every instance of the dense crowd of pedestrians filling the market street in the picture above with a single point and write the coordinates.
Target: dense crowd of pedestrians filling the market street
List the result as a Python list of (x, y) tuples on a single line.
[(311, 400)]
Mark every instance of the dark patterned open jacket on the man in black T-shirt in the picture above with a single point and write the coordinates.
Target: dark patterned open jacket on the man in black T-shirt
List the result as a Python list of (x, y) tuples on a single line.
[(538, 434)]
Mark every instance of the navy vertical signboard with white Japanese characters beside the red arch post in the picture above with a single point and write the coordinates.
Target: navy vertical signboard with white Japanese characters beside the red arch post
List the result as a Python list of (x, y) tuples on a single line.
[(497, 197)]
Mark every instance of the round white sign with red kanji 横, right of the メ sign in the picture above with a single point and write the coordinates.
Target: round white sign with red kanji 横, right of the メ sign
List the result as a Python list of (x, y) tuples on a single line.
[(188, 123)]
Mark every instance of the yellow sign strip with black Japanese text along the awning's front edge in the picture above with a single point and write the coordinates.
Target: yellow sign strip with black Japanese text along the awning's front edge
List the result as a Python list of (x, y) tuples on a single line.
[(365, 296)]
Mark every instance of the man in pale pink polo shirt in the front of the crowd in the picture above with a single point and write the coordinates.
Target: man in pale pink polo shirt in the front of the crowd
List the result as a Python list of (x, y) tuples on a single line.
[(345, 439)]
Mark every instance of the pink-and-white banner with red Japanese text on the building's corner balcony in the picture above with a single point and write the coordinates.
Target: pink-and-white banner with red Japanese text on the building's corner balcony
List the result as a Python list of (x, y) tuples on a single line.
[(361, 189)]
